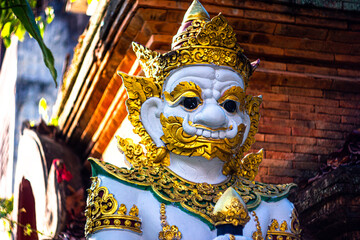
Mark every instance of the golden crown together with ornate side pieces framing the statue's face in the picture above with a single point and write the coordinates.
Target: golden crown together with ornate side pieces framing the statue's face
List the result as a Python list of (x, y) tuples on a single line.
[(200, 40)]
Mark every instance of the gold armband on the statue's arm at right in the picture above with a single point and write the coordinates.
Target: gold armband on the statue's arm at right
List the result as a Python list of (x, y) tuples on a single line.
[(281, 232)]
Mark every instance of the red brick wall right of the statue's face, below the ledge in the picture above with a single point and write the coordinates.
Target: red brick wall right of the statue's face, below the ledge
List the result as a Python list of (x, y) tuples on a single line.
[(303, 120)]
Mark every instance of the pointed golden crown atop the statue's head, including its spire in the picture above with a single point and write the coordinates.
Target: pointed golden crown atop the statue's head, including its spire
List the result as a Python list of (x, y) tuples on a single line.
[(198, 41)]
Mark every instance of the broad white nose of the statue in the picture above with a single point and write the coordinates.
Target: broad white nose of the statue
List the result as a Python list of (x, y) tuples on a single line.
[(211, 115)]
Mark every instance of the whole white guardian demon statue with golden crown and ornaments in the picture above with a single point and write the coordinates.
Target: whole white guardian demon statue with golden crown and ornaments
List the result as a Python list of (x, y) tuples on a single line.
[(188, 178)]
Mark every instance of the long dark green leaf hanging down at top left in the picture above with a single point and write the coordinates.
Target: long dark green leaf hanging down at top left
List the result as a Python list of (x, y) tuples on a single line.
[(23, 12)]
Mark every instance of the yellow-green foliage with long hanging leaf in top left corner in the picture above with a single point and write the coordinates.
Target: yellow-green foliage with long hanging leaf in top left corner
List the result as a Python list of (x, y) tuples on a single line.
[(17, 17)]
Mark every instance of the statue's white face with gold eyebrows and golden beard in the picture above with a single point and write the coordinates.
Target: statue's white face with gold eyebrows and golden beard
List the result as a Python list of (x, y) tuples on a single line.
[(203, 112)]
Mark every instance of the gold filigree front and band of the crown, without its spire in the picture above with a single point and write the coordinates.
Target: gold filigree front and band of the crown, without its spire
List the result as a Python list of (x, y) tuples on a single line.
[(215, 43)]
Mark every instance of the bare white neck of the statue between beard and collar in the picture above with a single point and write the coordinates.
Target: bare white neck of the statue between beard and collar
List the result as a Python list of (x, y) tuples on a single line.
[(197, 169)]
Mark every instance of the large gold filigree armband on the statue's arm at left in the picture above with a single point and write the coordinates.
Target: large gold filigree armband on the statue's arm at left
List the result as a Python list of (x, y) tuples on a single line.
[(101, 211)]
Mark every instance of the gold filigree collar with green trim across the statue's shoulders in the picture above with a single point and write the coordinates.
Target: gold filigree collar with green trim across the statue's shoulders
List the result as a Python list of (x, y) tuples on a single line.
[(197, 198)]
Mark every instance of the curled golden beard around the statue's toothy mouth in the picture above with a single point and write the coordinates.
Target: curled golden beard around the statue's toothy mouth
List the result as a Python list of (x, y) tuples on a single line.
[(179, 142)]
